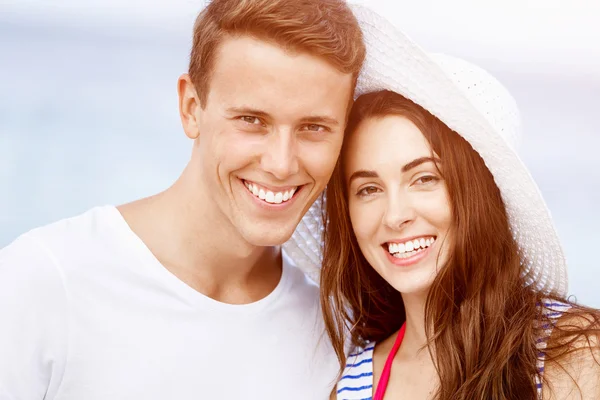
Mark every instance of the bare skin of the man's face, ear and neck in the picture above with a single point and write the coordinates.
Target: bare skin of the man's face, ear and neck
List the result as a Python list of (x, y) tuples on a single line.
[(272, 117)]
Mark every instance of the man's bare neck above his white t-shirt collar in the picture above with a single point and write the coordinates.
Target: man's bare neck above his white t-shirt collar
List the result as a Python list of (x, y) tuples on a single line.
[(181, 230)]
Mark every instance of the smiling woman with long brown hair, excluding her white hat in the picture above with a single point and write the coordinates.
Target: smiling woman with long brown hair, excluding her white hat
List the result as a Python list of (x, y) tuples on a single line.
[(419, 250)]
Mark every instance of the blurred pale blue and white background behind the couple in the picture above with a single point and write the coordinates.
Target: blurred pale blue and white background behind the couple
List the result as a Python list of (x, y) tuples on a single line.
[(88, 102)]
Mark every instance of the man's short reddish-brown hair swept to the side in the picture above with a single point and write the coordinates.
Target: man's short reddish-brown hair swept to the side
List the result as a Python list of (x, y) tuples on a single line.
[(324, 28)]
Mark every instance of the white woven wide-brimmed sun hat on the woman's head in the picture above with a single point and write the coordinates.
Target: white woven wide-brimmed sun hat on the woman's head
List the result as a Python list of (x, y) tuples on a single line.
[(475, 105)]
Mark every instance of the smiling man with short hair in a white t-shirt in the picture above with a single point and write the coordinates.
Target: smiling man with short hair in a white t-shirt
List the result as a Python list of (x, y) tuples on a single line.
[(186, 295)]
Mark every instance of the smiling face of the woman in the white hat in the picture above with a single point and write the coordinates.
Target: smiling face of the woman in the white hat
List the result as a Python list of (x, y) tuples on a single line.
[(398, 202)]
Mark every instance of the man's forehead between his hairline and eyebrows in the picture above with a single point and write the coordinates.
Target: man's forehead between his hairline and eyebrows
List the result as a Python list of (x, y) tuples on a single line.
[(252, 75)]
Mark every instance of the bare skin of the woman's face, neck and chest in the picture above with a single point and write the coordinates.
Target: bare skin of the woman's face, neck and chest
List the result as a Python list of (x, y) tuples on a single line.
[(396, 199)]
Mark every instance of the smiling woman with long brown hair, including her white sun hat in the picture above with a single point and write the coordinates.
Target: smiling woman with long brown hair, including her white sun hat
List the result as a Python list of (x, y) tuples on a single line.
[(441, 267)]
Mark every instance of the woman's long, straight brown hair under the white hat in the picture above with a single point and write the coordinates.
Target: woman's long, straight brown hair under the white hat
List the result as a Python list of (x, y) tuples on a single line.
[(482, 320)]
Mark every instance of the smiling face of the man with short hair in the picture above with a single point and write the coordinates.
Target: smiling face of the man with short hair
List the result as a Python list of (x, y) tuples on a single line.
[(269, 136)]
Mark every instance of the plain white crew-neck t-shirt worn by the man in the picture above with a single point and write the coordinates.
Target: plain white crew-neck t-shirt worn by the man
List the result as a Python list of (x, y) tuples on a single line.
[(88, 313)]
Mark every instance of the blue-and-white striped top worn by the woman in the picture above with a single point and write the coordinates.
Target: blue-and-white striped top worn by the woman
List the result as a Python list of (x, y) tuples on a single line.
[(356, 382)]
